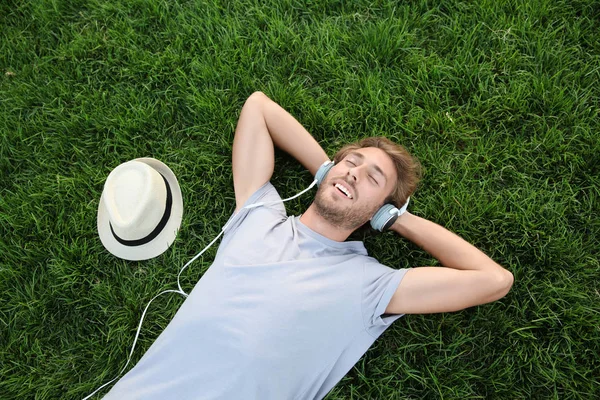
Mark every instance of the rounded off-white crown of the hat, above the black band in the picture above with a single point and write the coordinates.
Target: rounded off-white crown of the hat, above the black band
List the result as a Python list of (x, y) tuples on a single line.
[(135, 199)]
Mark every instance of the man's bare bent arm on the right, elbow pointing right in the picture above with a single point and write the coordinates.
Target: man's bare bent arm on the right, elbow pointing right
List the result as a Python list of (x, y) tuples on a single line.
[(471, 278)]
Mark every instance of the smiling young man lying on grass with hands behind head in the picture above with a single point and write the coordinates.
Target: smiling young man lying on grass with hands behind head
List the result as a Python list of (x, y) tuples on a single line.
[(289, 306)]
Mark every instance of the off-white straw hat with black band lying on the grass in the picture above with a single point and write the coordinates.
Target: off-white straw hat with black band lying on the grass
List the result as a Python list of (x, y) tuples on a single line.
[(140, 209)]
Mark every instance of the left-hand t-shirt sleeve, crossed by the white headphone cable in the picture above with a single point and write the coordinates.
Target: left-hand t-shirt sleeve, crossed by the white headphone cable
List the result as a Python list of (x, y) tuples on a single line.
[(275, 211)]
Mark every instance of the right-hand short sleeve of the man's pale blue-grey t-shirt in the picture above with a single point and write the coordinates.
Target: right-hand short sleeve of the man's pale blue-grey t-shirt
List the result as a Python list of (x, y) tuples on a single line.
[(379, 285)]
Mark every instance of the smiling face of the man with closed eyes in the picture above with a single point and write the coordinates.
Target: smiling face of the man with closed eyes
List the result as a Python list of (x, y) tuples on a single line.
[(368, 175)]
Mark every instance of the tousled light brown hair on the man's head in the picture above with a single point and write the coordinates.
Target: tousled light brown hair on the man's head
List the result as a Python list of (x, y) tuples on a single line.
[(408, 167)]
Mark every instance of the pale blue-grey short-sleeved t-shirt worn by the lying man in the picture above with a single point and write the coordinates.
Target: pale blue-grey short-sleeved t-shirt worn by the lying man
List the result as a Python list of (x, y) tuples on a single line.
[(282, 313)]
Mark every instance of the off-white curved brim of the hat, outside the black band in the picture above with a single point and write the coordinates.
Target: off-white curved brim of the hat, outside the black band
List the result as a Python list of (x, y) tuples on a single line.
[(165, 238)]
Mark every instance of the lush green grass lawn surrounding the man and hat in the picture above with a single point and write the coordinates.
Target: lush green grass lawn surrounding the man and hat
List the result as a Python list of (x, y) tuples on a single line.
[(499, 101)]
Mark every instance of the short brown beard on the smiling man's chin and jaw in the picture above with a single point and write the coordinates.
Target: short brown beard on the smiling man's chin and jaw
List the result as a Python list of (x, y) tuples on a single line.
[(345, 216)]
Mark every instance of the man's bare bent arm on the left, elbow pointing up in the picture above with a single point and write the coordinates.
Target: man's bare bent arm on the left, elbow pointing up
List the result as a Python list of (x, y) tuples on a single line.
[(262, 124)]
